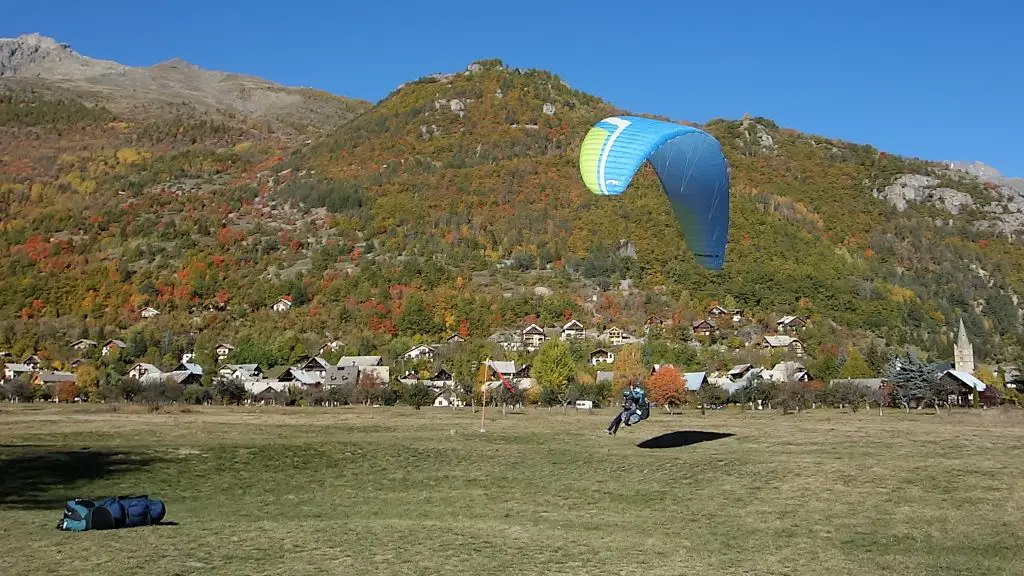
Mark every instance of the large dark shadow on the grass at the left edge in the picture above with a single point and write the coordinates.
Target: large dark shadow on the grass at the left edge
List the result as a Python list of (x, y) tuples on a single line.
[(46, 480)]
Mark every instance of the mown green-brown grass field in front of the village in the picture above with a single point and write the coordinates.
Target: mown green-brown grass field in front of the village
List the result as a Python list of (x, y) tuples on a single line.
[(396, 491)]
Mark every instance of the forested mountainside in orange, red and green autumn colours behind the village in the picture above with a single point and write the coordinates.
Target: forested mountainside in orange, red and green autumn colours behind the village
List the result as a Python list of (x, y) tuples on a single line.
[(455, 205)]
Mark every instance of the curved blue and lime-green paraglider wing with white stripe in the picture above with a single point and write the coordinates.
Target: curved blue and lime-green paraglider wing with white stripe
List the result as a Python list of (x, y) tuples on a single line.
[(690, 164)]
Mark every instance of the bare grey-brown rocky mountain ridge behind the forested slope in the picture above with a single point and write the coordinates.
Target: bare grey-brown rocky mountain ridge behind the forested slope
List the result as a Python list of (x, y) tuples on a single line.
[(42, 64)]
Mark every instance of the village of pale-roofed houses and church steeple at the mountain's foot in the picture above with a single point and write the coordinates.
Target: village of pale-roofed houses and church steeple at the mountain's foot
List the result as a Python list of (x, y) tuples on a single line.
[(428, 364)]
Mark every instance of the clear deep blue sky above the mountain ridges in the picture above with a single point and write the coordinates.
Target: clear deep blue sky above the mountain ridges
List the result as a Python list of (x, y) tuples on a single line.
[(938, 79)]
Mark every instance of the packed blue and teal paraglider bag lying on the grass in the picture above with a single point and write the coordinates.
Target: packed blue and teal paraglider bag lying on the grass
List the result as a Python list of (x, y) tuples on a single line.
[(108, 514)]
